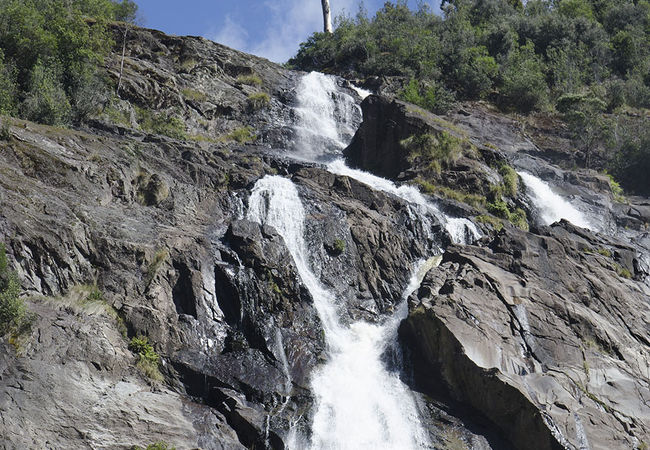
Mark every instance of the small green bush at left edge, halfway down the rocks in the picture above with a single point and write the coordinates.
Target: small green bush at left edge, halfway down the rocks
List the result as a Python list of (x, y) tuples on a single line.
[(13, 312)]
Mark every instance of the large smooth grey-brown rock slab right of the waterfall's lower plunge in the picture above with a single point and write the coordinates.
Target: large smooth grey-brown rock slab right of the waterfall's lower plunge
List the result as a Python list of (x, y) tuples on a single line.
[(569, 368)]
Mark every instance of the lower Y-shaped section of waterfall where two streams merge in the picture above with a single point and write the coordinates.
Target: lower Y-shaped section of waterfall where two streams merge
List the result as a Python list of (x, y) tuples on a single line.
[(359, 403)]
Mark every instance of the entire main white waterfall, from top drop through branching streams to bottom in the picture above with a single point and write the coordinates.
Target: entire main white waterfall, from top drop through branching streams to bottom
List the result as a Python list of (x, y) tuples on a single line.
[(361, 403)]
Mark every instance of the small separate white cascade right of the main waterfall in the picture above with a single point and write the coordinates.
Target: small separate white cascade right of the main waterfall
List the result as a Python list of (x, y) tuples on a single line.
[(551, 207)]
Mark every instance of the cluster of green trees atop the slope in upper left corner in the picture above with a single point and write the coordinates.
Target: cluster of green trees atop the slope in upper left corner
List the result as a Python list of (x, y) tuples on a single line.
[(50, 53)]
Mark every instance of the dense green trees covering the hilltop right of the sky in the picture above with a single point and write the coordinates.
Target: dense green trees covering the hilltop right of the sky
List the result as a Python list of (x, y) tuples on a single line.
[(524, 56)]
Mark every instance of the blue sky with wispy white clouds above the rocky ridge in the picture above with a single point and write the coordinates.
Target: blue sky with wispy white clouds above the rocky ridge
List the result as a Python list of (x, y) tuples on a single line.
[(269, 28)]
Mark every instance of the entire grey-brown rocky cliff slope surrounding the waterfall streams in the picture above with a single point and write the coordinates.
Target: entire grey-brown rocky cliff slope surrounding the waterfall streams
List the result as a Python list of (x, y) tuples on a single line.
[(525, 339)]
